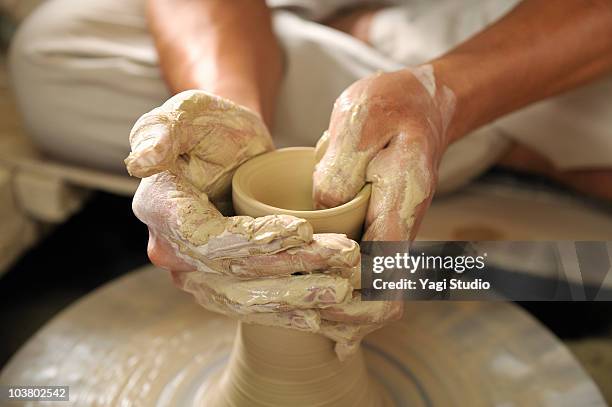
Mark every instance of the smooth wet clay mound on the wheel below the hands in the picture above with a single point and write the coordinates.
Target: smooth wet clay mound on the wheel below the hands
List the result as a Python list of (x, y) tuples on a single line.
[(280, 367)]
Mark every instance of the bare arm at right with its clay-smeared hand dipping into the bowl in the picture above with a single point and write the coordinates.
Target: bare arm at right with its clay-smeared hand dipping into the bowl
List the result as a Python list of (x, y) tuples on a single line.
[(391, 129)]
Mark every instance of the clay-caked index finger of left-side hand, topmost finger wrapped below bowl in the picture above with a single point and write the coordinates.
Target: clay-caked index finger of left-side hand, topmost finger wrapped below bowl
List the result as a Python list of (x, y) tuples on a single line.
[(200, 234)]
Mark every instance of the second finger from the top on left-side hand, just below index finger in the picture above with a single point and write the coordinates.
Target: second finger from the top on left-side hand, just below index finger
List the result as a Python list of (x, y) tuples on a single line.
[(327, 252)]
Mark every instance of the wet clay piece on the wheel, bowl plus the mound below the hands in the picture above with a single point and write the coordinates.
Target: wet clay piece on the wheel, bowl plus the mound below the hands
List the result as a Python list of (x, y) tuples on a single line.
[(271, 366)]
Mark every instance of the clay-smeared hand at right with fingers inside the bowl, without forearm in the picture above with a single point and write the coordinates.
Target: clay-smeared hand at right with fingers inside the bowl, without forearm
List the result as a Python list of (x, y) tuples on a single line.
[(388, 129)]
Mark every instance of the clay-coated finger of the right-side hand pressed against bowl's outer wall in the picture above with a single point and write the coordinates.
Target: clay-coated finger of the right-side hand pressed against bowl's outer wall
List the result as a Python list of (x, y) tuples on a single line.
[(402, 187)]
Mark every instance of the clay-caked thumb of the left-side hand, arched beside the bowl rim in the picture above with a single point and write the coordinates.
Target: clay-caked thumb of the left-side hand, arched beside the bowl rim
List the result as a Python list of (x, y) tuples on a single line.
[(161, 136)]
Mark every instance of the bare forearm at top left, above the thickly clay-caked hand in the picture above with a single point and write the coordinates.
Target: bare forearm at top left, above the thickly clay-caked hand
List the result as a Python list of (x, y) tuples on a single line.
[(224, 47)]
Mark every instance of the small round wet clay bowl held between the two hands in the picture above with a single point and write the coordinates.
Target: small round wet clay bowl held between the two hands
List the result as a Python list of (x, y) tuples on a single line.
[(280, 182)]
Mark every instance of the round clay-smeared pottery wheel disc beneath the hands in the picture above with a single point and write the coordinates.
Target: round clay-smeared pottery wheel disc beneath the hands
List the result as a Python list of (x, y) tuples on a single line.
[(139, 341)]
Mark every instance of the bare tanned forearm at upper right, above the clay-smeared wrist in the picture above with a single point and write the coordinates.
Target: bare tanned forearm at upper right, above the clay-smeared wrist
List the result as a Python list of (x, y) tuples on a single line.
[(539, 49)]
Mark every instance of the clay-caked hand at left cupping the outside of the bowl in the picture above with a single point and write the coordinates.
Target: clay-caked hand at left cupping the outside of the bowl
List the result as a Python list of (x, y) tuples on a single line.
[(270, 270)]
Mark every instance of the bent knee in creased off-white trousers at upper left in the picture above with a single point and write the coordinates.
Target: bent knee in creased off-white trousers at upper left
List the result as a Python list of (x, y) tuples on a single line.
[(82, 74)]
